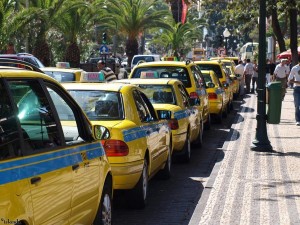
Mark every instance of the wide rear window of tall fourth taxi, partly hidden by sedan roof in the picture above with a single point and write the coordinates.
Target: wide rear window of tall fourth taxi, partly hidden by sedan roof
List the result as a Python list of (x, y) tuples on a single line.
[(179, 73)]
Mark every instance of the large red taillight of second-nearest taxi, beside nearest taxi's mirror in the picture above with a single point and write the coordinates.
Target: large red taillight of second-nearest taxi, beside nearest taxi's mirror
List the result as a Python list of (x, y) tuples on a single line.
[(115, 147)]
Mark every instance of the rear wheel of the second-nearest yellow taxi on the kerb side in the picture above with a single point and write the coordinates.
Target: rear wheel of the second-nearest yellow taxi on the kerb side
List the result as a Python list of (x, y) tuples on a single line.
[(140, 192)]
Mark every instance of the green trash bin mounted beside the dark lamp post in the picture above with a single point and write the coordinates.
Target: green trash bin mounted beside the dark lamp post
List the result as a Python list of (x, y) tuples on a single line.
[(274, 102)]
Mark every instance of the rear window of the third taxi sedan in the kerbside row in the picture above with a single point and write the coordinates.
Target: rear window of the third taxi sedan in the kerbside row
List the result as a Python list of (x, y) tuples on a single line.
[(159, 94)]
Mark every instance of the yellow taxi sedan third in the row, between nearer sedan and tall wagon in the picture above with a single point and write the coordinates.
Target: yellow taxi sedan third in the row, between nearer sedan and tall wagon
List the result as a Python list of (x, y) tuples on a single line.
[(171, 100)]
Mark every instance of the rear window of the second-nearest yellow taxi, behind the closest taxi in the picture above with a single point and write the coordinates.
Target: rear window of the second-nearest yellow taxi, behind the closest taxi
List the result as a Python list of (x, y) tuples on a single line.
[(99, 105)]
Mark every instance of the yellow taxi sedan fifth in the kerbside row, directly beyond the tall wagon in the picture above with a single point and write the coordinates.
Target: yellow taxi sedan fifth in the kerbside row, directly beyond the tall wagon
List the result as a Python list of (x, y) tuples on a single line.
[(216, 95)]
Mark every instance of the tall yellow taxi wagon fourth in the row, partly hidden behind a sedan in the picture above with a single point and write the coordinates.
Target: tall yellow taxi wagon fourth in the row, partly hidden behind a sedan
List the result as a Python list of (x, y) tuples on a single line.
[(187, 72)]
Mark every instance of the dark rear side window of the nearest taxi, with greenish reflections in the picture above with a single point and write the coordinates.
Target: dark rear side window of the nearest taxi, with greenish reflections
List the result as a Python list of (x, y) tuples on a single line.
[(35, 115)]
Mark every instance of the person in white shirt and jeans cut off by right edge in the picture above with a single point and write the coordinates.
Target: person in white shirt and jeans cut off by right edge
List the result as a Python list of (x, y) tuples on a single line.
[(294, 78)]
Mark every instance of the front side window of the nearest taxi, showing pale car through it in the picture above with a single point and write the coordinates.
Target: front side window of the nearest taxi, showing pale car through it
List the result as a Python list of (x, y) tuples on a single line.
[(67, 118)]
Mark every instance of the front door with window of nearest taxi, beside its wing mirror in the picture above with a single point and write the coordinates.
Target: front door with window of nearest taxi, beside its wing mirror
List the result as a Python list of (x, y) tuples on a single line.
[(86, 170)]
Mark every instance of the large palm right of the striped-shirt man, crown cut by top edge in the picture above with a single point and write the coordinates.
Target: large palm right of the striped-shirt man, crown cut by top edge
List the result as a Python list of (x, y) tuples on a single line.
[(133, 17)]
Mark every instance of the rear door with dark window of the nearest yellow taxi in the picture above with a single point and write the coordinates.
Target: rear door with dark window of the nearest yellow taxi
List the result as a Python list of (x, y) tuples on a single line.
[(47, 164)]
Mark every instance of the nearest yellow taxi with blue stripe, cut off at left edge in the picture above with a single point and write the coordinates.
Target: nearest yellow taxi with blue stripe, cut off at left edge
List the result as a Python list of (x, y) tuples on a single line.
[(53, 167)]
